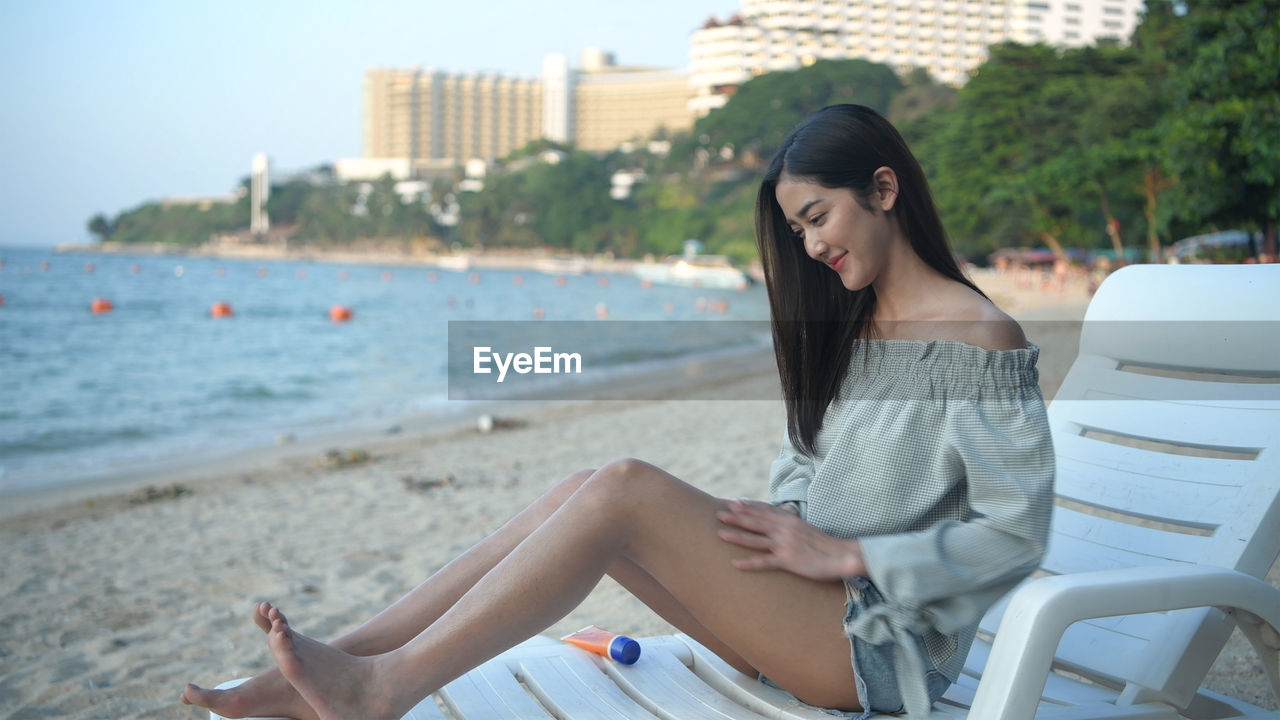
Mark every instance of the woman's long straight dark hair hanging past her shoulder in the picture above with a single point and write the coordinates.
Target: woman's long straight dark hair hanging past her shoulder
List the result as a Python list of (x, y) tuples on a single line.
[(817, 321)]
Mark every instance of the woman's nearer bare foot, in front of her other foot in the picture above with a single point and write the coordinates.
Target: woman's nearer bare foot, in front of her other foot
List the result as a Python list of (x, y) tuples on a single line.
[(337, 686)]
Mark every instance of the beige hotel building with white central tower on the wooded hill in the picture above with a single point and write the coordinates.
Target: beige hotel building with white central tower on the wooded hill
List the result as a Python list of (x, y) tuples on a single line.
[(423, 122)]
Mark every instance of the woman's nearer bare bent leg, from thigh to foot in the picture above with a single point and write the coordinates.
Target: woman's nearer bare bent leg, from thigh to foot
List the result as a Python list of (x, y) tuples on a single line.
[(779, 623)]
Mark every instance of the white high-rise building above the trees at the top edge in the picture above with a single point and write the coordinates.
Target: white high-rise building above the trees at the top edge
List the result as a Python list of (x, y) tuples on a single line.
[(947, 38)]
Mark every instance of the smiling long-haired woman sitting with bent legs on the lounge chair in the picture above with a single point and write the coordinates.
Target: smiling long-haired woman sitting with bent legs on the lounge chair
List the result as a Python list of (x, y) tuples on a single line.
[(913, 489)]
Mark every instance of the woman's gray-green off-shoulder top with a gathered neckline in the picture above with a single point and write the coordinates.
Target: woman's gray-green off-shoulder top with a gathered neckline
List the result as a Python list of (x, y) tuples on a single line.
[(938, 457)]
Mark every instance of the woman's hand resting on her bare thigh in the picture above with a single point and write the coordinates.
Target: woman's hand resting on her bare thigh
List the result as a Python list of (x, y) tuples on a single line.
[(785, 543)]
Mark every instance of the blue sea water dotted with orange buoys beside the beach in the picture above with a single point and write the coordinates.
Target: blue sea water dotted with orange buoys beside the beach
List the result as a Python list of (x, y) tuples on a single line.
[(158, 379)]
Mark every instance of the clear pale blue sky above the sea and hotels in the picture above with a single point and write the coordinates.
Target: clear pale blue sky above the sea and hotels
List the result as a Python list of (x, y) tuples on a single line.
[(106, 106)]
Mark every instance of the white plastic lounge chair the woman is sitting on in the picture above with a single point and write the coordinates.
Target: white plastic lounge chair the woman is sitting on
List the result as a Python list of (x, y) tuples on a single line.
[(1168, 440)]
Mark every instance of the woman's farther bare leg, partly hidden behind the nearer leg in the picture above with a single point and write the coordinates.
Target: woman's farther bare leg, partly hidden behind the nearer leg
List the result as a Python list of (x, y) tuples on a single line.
[(271, 695)]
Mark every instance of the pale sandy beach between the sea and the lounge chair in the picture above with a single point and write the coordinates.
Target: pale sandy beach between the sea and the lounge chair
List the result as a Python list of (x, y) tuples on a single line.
[(112, 598)]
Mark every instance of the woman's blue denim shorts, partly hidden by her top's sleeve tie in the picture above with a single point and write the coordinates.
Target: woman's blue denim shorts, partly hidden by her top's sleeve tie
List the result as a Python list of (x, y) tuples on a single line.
[(874, 664)]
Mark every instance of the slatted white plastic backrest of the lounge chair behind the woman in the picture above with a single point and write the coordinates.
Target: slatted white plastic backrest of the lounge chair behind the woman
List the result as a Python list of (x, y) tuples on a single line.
[(1168, 440)]
